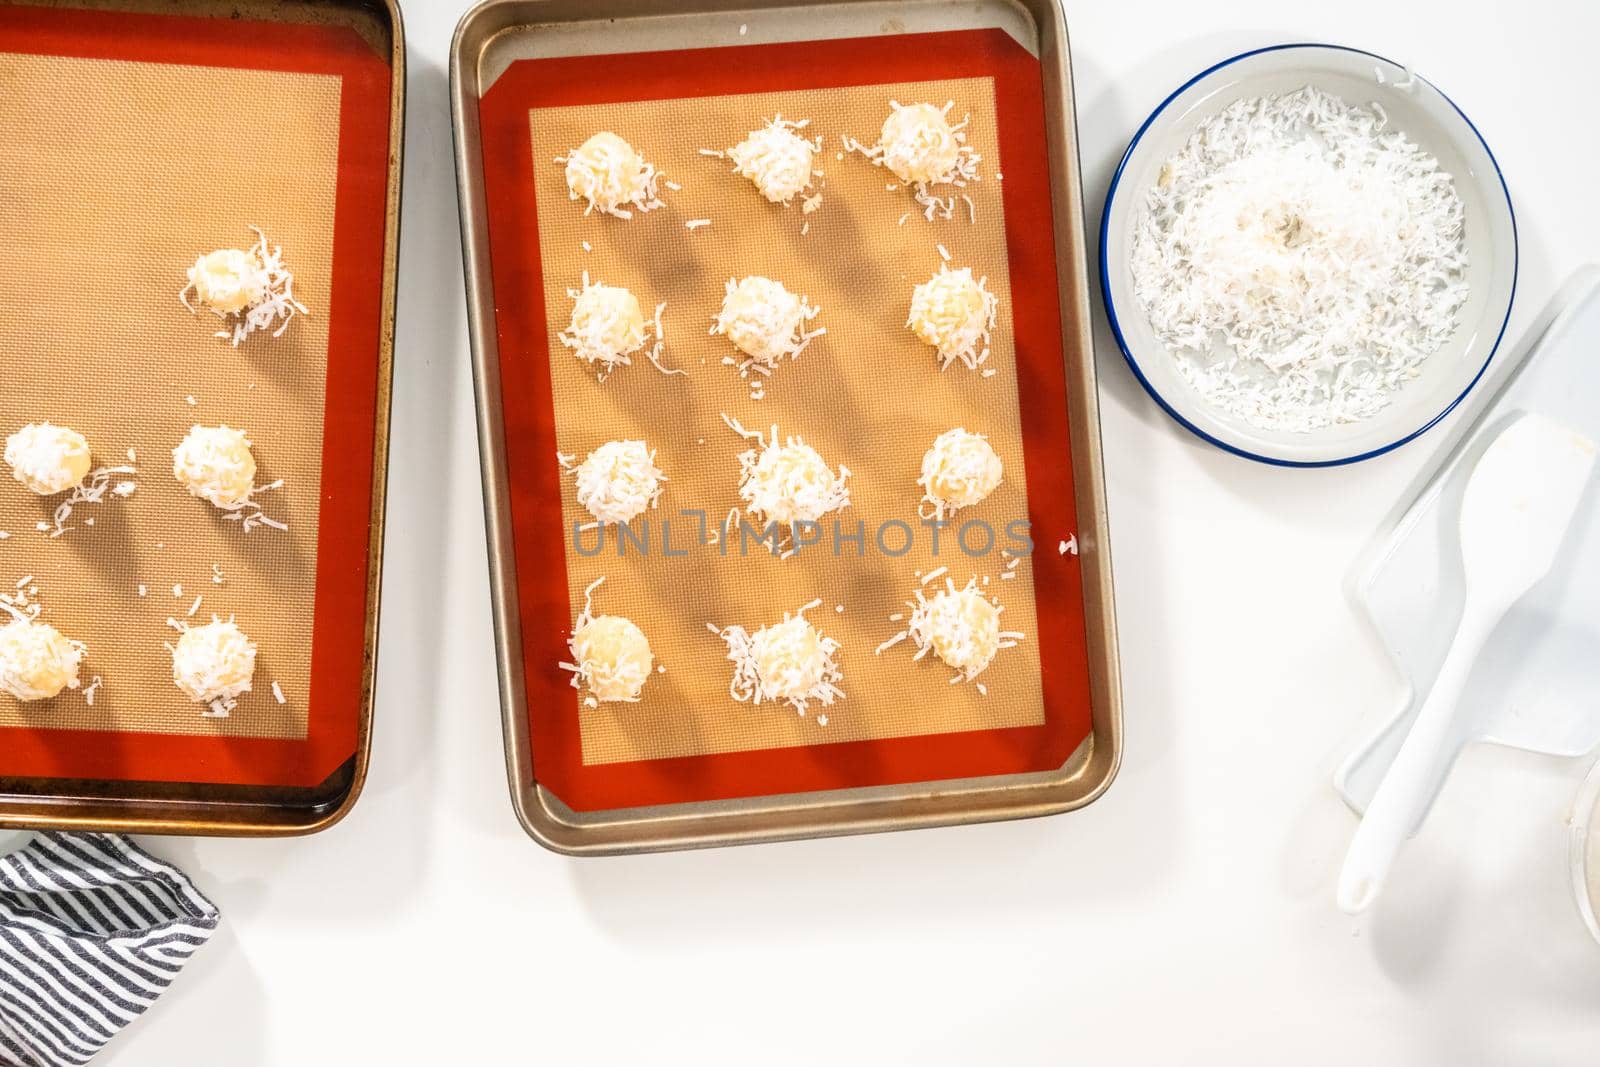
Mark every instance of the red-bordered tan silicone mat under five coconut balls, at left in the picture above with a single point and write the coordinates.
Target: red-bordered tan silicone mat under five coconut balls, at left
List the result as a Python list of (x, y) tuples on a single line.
[(132, 145)]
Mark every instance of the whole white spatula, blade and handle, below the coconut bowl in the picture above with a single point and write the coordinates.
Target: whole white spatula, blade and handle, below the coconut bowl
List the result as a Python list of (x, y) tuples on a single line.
[(1514, 514)]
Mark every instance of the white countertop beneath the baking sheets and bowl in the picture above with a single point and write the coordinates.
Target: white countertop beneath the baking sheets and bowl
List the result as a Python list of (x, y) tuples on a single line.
[(1186, 917)]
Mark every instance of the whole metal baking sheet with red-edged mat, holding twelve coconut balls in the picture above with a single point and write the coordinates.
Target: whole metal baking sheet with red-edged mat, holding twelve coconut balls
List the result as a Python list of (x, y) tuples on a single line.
[(687, 767)]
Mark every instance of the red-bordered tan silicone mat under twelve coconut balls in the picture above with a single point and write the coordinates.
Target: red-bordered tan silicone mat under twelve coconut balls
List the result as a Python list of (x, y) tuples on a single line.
[(868, 396)]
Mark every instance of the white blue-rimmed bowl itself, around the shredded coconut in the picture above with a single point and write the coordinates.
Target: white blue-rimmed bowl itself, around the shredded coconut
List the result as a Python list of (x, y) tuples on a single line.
[(1426, 118)]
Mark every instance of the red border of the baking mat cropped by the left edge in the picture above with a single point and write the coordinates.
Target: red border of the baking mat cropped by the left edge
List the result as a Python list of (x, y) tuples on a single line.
[(350, 418)]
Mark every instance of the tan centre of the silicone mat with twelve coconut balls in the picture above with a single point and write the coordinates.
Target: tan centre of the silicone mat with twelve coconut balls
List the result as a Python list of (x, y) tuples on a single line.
[(868, 396)]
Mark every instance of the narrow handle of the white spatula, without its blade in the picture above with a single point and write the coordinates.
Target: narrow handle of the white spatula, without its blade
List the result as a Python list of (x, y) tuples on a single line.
[(1404, 793)]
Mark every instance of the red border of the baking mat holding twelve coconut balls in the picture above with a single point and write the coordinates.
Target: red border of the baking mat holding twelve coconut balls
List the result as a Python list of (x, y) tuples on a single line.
[(535, 478)]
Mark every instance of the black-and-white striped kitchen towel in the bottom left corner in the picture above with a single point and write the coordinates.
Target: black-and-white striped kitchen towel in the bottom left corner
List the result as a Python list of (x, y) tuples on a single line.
[(92, 932)]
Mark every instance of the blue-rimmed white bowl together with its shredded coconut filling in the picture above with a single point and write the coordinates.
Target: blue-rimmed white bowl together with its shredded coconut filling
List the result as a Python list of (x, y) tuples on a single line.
[(1308, 255)]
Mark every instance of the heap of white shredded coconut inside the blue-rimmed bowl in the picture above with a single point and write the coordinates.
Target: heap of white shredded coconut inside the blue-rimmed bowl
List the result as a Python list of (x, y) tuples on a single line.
[(1302, 260)]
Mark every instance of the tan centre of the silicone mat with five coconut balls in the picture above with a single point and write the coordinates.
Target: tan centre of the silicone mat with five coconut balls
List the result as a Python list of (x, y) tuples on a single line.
[(113, 178)]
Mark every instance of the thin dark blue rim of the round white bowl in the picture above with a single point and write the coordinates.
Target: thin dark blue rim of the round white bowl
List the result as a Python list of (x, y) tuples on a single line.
[(1134, 364)]
